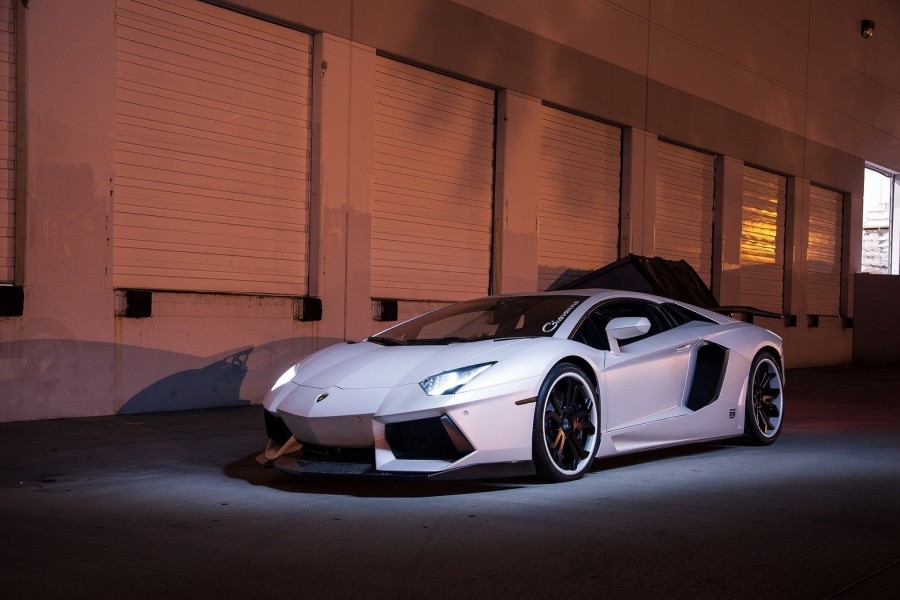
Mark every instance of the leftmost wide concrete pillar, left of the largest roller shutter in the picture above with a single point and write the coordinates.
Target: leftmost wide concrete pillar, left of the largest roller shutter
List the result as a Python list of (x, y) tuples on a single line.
[(55, 359)]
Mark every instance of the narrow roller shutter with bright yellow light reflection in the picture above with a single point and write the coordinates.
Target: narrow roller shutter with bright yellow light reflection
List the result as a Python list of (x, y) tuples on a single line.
[(762, 240)]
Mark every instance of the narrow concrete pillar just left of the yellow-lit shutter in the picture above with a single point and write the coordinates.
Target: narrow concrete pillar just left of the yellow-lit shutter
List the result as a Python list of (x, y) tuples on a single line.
[(729, 203)]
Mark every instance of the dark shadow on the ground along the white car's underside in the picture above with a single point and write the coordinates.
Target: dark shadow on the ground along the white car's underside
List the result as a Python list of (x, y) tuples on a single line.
[(247, 469)]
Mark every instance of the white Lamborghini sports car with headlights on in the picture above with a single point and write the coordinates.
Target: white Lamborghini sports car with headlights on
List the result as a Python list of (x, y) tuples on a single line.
[(526, 384)]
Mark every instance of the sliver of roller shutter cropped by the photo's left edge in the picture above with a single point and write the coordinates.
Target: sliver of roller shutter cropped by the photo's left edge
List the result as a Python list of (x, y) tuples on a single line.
[(7, 140)]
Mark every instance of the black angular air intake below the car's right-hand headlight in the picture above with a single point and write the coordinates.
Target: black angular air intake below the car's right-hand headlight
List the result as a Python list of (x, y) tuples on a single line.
[(436, 438)]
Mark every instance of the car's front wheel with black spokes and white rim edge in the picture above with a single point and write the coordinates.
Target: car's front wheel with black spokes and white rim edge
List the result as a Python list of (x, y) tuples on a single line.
[(566, 425)]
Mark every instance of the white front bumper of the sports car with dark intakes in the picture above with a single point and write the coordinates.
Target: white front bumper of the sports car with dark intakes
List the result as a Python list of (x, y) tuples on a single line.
[(370, 432)]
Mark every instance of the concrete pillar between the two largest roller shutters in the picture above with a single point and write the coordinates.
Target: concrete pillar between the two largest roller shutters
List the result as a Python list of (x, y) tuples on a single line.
[(341, 197)]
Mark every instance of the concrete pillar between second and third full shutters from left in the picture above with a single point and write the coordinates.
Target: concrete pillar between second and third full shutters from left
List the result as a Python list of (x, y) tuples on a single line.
[(517, 188)]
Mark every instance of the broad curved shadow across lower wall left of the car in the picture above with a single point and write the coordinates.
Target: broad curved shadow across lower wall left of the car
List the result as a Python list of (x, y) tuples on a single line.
[(52, 375)]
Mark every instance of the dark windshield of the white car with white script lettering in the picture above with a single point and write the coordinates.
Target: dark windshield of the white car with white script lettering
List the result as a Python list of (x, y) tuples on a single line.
[(484, 319)]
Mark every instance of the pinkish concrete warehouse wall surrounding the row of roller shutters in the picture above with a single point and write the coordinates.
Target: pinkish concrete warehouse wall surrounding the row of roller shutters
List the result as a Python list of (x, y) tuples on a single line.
[(786, 86)]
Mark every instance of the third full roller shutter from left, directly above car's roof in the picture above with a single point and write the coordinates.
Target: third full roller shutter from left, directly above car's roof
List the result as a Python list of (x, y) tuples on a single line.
[(578, 206)]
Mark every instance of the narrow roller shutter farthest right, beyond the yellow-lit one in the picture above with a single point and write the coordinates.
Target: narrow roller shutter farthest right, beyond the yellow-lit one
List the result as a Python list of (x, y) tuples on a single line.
[(823, 252)]
